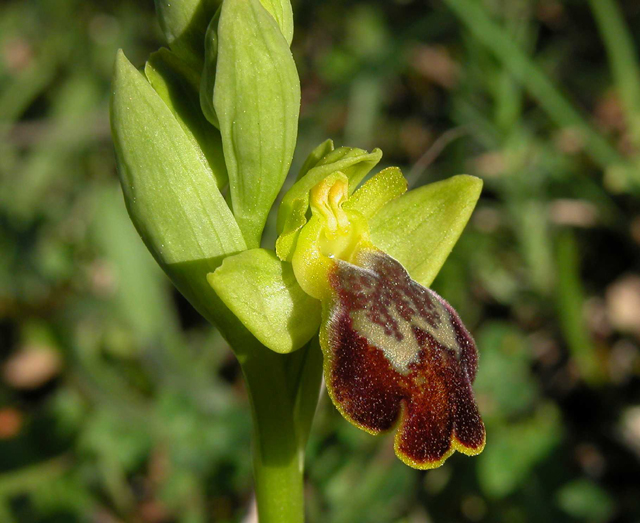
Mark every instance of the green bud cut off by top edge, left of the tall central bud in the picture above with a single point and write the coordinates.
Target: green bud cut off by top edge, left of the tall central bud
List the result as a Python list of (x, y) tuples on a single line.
[(184, 23)]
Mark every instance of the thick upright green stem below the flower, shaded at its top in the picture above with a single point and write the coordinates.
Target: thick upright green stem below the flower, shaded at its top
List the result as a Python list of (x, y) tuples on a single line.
[(280, 426)]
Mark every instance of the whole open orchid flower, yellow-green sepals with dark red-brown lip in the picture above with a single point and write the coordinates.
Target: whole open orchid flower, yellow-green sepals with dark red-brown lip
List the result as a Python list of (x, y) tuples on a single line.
[(395, 353)]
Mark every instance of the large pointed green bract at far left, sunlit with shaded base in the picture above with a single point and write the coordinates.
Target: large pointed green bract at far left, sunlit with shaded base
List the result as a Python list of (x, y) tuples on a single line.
[(170, 192)]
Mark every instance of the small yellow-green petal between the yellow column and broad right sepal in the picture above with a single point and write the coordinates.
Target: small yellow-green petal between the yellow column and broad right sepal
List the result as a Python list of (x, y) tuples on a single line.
[(381, 189)]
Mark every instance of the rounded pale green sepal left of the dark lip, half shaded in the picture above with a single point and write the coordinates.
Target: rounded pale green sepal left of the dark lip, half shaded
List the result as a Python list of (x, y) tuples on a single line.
[(263, 293)]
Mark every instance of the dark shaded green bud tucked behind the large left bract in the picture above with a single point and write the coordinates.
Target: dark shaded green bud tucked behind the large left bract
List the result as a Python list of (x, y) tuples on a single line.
[(177, 84)]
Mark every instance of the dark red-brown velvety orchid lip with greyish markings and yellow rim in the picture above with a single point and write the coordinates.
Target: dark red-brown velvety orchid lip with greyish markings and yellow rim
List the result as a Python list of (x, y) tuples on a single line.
[(396, 353)]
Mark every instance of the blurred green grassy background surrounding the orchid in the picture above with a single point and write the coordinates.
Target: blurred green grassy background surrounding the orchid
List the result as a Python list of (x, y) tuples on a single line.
[(118, 403)]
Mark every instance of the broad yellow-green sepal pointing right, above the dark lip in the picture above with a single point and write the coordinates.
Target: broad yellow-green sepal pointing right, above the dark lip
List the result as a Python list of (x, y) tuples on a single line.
[(420, 228)]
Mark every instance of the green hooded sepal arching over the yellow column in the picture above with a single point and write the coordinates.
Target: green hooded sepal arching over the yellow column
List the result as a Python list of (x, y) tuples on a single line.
[(354, 163)]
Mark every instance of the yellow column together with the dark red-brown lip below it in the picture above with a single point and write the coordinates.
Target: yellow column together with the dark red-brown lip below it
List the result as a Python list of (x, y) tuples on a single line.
[(396, 355)]
